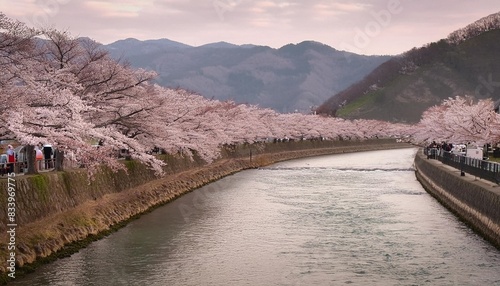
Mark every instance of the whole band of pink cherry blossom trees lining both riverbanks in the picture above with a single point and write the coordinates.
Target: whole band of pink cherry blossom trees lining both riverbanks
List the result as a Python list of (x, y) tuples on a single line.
[(69, 92)]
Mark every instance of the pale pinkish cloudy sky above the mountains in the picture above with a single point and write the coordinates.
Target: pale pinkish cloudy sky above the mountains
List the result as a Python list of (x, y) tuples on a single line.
[(370, 27)]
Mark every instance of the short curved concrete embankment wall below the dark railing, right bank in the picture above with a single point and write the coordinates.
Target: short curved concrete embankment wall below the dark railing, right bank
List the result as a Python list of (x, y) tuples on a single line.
[(475, 201)]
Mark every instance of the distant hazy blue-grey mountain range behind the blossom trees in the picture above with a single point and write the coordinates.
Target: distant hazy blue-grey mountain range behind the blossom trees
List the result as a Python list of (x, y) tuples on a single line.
[(296, 77)]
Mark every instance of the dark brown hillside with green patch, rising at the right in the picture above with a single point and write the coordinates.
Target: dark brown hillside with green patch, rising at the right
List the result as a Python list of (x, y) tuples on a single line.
[(465, 63)]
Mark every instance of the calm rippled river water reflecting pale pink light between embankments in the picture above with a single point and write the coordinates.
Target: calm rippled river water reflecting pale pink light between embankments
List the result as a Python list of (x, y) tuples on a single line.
[(359, 218)]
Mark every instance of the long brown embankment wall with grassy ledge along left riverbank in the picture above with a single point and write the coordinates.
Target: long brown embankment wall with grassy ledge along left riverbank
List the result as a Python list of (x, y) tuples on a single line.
[(60, 208)]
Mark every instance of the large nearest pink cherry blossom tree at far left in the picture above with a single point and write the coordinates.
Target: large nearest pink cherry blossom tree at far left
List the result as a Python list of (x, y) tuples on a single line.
[(56, 100)]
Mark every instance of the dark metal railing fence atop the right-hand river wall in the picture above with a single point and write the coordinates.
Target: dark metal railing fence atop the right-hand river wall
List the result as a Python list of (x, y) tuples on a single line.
[(479, 168)]
